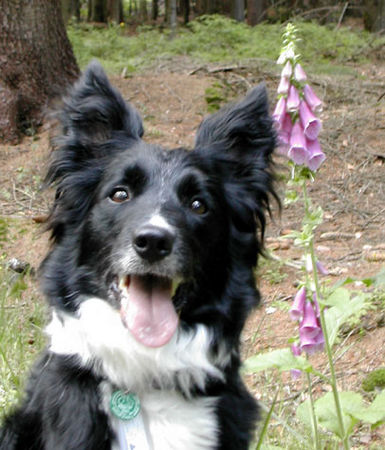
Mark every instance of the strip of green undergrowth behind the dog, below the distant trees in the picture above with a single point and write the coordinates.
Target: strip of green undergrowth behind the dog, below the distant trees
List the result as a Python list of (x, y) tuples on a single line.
[(218, 39)]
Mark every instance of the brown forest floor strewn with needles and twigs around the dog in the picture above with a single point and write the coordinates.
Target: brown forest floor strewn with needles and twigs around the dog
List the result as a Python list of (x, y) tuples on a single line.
[(350, 187)]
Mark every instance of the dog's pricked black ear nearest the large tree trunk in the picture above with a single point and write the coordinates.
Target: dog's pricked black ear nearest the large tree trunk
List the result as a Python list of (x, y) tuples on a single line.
[(94, 110)]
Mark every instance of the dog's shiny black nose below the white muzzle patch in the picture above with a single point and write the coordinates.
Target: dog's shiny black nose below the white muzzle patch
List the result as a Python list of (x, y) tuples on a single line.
[(153, 243)]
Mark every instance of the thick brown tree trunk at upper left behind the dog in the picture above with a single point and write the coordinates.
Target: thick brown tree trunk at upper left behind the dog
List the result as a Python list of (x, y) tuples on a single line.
[(36, 62)]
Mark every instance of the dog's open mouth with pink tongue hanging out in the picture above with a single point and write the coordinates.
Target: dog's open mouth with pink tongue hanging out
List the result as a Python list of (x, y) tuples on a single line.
[(148, 311)]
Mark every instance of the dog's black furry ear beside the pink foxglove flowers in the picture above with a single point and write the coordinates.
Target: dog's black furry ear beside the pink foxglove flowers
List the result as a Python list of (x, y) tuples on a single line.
[(239, 141)]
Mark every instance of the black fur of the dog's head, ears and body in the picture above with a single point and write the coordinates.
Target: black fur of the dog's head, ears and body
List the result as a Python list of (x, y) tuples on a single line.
[(216, 251)]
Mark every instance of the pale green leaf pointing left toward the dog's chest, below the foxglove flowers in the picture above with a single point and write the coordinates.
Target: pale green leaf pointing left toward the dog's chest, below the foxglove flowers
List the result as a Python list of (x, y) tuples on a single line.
[(281, 359)]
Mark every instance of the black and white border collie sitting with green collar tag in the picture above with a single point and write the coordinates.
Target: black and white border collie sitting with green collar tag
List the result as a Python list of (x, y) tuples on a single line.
[(150, 280)]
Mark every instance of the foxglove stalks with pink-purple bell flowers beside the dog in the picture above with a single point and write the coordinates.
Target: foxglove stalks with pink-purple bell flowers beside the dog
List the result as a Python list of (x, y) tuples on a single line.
[(298, 128)]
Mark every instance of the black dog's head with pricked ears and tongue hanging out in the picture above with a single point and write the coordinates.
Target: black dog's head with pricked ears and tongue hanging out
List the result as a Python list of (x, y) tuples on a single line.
[(131, 221)]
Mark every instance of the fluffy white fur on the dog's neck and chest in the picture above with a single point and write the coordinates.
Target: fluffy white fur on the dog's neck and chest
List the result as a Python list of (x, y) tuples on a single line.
[(173, 421)]
